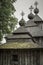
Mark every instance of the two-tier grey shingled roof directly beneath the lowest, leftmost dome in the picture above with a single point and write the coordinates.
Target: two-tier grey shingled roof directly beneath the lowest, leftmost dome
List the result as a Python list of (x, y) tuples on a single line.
[(20, 33)]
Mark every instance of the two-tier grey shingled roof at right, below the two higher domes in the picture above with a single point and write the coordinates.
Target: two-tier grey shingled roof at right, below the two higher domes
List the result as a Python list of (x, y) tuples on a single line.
[(33, 28)]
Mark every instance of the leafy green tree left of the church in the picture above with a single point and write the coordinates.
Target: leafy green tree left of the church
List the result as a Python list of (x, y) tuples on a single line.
[(7, 20)]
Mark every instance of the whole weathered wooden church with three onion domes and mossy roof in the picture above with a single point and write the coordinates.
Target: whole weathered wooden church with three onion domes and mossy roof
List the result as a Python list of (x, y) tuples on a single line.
[(25, 45)]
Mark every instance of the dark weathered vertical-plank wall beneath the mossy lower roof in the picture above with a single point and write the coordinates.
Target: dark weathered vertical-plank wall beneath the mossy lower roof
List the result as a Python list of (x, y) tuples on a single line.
[(24, 57)]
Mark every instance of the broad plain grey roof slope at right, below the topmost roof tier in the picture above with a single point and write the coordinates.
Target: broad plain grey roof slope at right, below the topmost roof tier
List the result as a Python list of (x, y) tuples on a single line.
[(35, 31)]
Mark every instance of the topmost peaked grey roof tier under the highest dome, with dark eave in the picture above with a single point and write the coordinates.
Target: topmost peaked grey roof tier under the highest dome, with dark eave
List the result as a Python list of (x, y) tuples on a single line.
[(34, 21)]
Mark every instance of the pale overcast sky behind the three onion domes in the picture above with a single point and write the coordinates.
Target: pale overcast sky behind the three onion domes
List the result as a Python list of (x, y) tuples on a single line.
[(23, 5)]
